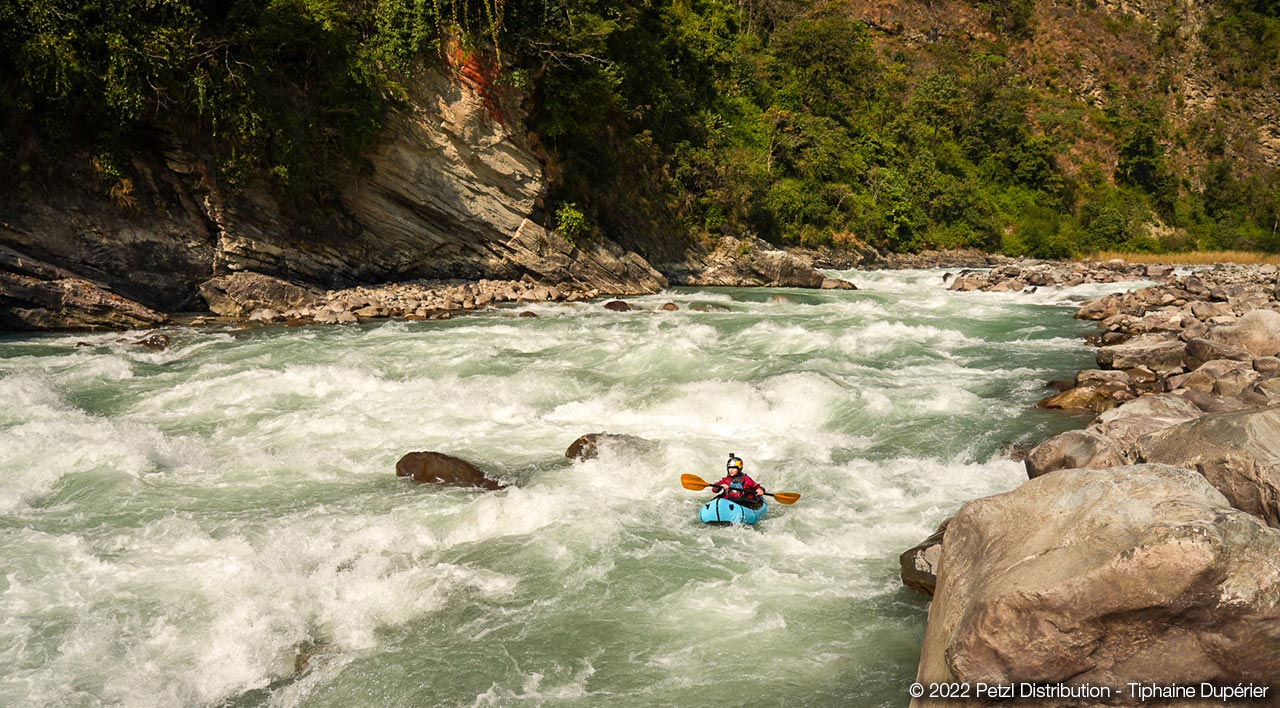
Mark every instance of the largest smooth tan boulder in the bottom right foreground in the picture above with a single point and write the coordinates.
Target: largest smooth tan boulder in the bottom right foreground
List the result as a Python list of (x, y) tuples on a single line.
[(1105, 577)]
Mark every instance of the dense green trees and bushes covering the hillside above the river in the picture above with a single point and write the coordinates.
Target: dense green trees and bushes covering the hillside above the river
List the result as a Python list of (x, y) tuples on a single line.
[(778, 118)]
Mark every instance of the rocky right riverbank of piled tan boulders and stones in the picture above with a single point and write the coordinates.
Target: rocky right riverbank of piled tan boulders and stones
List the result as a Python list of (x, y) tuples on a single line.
[(1145, 546)]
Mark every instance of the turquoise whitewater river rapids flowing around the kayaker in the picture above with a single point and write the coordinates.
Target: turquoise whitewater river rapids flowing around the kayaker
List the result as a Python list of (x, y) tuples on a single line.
[(221, 524)]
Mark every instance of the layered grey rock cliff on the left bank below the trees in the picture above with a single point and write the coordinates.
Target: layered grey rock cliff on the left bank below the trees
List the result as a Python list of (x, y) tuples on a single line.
[(451, 191)]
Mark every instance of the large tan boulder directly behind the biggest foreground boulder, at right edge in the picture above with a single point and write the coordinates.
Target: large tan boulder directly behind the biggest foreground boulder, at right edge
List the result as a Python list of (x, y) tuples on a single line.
[(1238, 453)]
